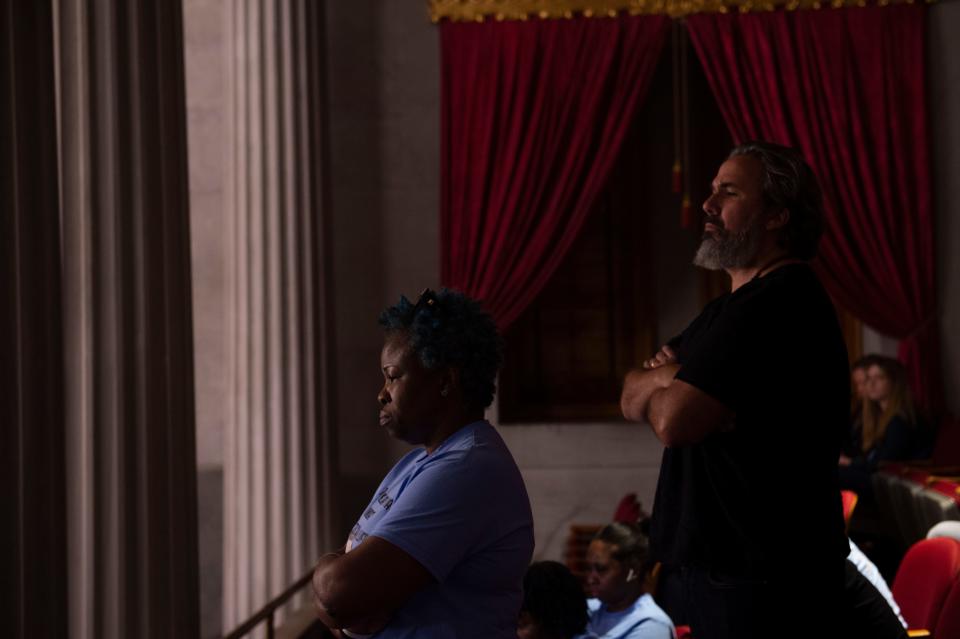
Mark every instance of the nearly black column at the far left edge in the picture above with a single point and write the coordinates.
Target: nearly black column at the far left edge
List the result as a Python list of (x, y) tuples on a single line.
[(32, 489)]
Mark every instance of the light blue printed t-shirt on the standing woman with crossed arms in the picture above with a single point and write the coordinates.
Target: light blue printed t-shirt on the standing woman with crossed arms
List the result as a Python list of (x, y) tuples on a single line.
[(464, 514)]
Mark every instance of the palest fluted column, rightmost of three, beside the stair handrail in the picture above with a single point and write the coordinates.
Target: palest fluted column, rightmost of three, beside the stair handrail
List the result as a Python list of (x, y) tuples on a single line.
[(278, 442)]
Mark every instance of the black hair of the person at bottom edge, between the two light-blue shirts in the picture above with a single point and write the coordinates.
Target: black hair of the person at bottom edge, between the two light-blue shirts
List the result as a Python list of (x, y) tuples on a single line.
[(553, 596)]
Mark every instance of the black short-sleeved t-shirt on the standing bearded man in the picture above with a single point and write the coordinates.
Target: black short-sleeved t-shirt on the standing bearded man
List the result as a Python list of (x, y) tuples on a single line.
[(762, 497)]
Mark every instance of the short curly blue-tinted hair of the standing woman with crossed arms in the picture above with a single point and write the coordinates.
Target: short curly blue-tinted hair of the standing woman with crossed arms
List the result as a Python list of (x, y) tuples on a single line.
[(447, 328)]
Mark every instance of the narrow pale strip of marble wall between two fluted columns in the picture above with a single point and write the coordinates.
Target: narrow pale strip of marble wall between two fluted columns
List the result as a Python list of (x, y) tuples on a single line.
[(205, 62)]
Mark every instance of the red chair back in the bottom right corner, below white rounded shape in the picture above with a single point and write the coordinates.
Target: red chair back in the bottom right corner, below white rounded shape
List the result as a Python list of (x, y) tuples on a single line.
[(926, 576)]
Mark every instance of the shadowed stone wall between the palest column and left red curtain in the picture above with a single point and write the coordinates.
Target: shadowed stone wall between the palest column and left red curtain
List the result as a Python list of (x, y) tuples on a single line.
[(384, 122)]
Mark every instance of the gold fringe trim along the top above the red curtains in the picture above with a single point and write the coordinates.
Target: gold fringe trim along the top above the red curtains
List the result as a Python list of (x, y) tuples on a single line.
[(480, 10)]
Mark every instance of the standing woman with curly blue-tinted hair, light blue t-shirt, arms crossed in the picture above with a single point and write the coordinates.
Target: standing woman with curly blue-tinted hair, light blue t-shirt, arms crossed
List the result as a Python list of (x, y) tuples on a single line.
[(442, 548)]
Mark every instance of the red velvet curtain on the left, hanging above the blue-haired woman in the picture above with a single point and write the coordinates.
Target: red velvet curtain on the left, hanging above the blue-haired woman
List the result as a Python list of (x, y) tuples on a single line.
[(534, 114)]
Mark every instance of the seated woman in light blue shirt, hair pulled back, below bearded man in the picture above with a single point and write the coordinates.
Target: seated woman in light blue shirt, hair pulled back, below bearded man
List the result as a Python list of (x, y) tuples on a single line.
[(617, 563)]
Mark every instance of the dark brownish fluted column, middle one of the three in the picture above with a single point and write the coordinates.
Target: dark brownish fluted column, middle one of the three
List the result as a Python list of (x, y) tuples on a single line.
[(131, 463)]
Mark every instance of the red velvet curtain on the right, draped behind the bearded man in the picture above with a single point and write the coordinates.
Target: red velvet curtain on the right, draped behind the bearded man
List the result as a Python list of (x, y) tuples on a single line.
[(846, 87)]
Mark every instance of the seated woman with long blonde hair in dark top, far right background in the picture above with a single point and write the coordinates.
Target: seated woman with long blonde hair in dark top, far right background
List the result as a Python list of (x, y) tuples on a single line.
[(889, 425)]
